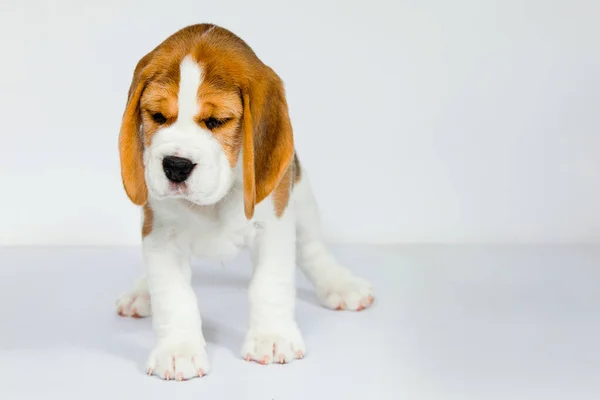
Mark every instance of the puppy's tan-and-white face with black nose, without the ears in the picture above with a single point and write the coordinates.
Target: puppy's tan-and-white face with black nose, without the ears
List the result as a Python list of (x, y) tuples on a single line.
[(192, 135)]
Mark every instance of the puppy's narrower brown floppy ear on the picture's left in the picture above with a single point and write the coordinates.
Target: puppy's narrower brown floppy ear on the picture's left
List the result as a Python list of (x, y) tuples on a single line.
[(130, 142)]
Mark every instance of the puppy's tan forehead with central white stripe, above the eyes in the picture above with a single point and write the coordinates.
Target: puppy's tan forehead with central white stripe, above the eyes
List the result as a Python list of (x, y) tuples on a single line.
[(191, 88)]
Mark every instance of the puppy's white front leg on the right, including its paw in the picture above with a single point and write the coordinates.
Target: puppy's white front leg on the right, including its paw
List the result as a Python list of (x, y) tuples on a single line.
[(273, 335)]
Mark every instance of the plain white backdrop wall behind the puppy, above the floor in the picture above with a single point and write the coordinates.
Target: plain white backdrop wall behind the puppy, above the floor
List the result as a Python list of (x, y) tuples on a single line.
[(418, 121)]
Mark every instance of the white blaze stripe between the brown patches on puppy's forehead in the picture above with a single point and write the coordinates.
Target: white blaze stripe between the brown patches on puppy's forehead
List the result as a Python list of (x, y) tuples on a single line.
[(190, 78)]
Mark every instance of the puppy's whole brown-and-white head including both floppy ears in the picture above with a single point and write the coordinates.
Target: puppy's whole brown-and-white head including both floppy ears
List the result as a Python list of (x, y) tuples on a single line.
[(198, 103)]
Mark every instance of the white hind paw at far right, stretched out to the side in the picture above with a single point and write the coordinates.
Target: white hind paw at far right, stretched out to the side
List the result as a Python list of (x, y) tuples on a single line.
[(345, 292)]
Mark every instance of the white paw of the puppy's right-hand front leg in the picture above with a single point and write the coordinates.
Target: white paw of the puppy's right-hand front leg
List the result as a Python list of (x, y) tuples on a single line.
[(274, 345)]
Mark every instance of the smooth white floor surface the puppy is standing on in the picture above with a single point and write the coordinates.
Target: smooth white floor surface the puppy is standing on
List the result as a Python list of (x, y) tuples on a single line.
[(448, 322)]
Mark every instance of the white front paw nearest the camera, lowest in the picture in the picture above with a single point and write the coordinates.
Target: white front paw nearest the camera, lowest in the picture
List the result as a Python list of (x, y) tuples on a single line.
[(179, 359)]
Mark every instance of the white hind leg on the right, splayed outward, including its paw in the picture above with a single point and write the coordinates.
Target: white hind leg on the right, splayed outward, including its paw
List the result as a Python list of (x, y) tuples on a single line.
[(336, 286)]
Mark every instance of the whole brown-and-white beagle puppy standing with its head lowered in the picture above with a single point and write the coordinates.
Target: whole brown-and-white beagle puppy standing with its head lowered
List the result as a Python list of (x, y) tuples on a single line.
[(206, 149)]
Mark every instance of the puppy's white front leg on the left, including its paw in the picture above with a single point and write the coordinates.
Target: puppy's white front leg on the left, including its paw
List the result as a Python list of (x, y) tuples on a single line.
[(180, 351)]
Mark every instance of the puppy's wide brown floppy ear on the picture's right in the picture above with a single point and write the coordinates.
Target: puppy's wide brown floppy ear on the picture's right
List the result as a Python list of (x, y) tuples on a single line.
[(267, 139)]
